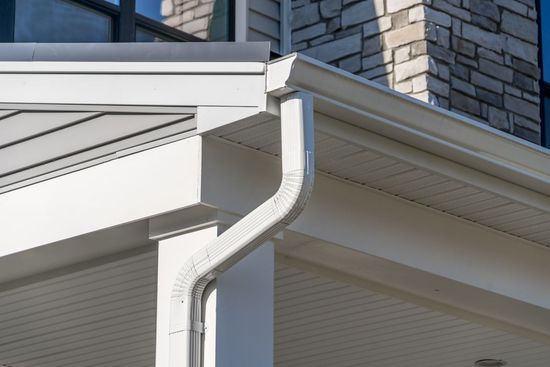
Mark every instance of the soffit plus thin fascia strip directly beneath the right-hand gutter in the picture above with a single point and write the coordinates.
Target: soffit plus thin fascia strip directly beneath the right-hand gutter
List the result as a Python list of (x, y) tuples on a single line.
[(358, 156)]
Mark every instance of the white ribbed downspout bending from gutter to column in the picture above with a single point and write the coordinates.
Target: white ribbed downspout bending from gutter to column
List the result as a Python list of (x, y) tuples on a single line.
[(254, 229)]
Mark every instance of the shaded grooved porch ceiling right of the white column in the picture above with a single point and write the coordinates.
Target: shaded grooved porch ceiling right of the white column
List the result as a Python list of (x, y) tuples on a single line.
[(320, 321)]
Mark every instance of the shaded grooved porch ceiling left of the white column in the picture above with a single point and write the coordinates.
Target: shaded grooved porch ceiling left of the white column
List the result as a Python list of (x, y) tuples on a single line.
[(102, 314)]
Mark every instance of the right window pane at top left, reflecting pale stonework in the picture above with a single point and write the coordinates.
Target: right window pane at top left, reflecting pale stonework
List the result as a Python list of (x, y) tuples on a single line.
[(207, 20)]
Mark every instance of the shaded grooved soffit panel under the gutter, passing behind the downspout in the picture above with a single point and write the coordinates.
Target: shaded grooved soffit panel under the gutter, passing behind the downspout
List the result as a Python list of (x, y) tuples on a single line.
[(337, 156)]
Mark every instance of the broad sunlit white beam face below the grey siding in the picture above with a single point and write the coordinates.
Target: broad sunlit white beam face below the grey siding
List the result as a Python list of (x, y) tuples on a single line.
[(120, 191)]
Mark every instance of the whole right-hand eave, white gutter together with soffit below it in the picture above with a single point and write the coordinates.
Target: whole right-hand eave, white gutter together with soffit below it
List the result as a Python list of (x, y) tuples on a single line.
[(373, 136)]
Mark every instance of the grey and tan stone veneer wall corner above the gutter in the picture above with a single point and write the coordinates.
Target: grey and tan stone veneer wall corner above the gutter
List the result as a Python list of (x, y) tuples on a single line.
[(475, 57)]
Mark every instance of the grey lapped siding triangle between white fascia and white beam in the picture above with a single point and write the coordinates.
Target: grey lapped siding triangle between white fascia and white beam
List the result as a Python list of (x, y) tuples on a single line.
[(41, 141)]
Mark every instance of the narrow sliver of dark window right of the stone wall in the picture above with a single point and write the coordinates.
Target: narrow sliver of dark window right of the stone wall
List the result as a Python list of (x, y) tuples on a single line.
[(544, 19)]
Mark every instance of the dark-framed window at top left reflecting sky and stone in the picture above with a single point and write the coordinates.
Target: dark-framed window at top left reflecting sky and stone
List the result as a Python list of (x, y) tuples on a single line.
[(115, 20)]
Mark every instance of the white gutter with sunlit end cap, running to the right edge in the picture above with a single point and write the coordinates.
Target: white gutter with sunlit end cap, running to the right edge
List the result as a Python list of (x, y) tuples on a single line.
[(369, 106)]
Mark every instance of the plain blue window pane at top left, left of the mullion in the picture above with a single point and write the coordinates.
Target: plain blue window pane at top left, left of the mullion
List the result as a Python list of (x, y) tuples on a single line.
[(59, 21)]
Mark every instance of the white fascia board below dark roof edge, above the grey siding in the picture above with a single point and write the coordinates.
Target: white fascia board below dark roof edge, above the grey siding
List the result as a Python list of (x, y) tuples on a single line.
[(123, 83)]
